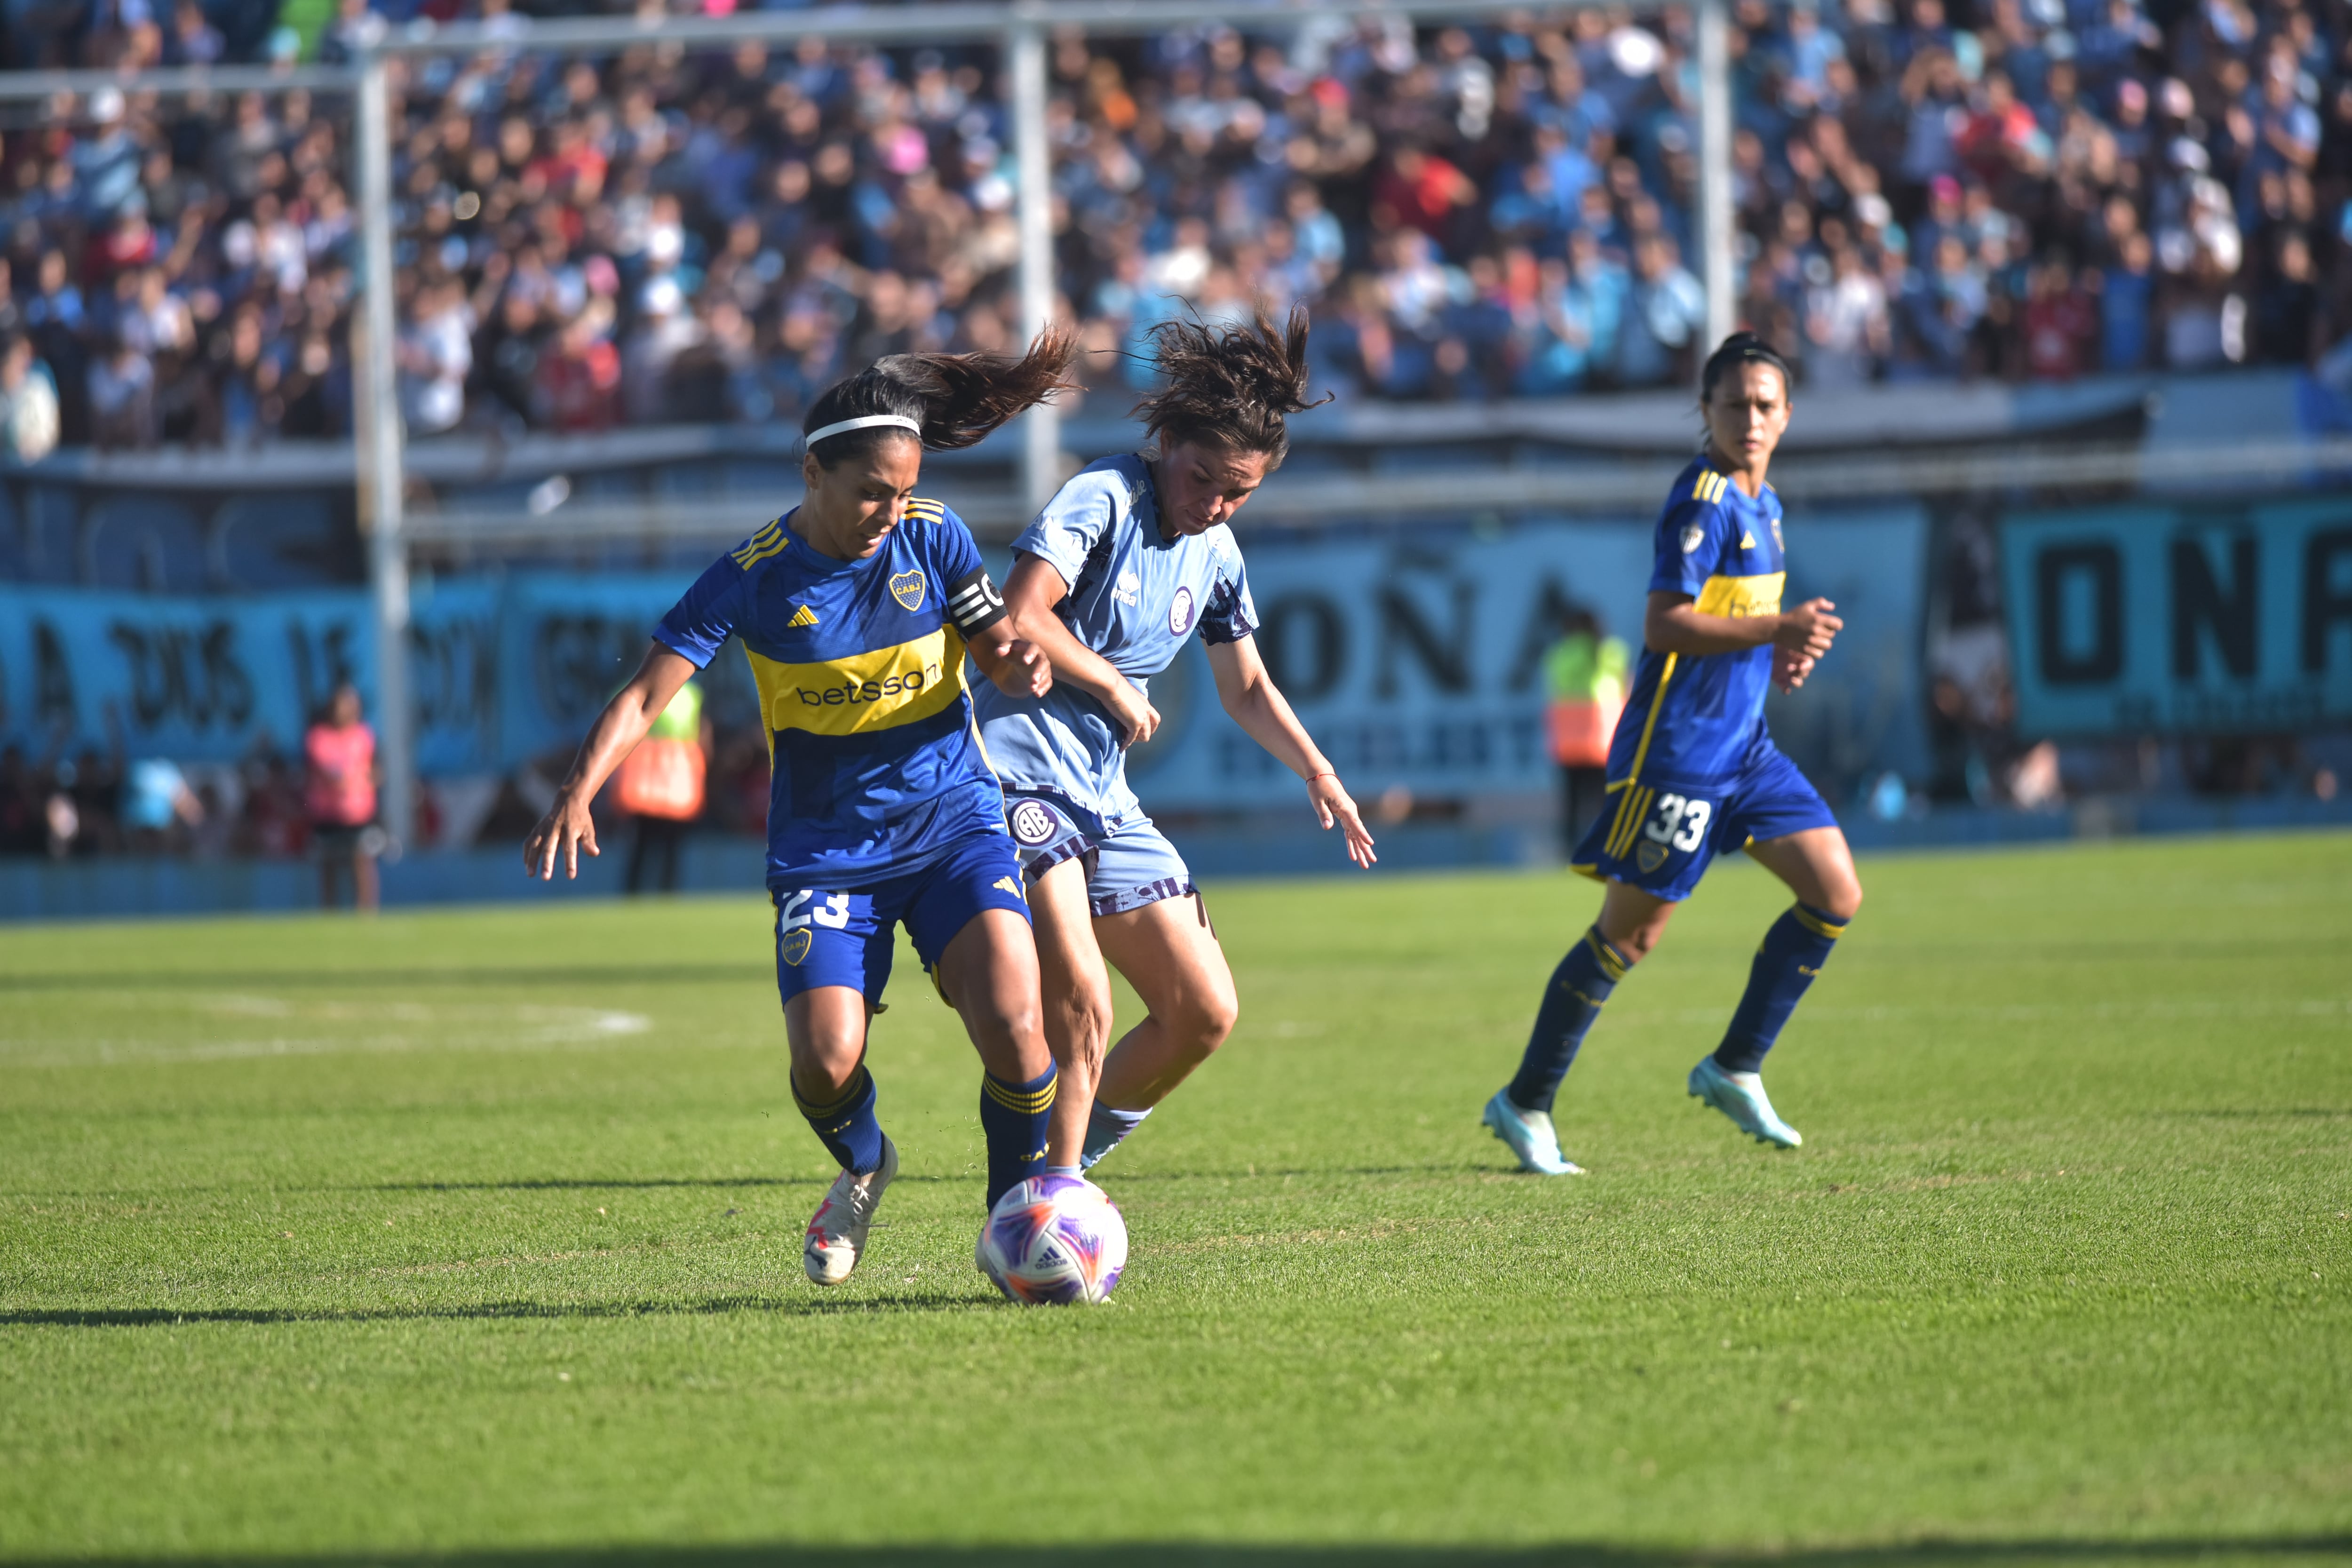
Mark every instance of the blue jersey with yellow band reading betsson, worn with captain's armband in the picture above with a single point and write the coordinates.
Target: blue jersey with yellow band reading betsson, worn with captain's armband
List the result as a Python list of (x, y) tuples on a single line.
[(862, 685)]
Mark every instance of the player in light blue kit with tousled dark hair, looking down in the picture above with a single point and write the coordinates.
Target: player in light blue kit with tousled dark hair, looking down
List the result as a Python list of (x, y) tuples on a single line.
[(1128, 561)]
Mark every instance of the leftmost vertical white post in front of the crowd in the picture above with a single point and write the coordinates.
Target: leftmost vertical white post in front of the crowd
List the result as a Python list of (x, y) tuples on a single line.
[(382, 460)]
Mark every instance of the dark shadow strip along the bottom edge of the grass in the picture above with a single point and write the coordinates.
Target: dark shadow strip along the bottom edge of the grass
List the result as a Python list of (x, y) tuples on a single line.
[(1205, 1555)]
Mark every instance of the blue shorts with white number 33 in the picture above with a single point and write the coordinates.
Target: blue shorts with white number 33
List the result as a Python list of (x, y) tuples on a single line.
[(1664, 836)]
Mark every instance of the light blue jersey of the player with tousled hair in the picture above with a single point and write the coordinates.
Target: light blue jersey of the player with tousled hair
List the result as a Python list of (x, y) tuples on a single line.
[(1135, 598)]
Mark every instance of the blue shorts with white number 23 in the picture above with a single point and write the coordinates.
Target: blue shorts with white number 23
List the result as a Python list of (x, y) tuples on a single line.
[(846, 937)]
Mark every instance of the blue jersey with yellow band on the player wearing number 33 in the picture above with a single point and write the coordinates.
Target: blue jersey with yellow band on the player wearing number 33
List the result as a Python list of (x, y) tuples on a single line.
[(1695, 718)]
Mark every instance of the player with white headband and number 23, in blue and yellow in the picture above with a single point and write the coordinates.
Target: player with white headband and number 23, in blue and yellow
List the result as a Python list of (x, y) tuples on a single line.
[(857, 610)]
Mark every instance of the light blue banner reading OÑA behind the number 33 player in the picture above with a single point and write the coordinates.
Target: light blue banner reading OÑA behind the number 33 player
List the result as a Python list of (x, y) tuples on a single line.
[(1419, 662)]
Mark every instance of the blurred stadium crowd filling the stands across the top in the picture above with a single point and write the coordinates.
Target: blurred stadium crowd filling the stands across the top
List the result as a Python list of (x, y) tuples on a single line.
[(1927, 189)]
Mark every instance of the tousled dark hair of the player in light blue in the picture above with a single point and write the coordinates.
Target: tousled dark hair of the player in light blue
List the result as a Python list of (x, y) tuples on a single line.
[(1229, 387)]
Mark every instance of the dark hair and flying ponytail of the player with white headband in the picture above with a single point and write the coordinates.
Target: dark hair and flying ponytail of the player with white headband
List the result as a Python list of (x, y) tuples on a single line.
[(956, 398)]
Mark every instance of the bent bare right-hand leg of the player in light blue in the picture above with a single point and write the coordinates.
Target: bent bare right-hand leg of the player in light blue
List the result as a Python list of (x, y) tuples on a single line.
[(1170, 956)]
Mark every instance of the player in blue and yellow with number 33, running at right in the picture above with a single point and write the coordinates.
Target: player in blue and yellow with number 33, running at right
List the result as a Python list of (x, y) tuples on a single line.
[(1697, 775)]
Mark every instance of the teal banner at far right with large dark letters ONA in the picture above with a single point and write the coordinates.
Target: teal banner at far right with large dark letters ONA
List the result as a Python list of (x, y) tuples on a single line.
[(2181, 622)]
